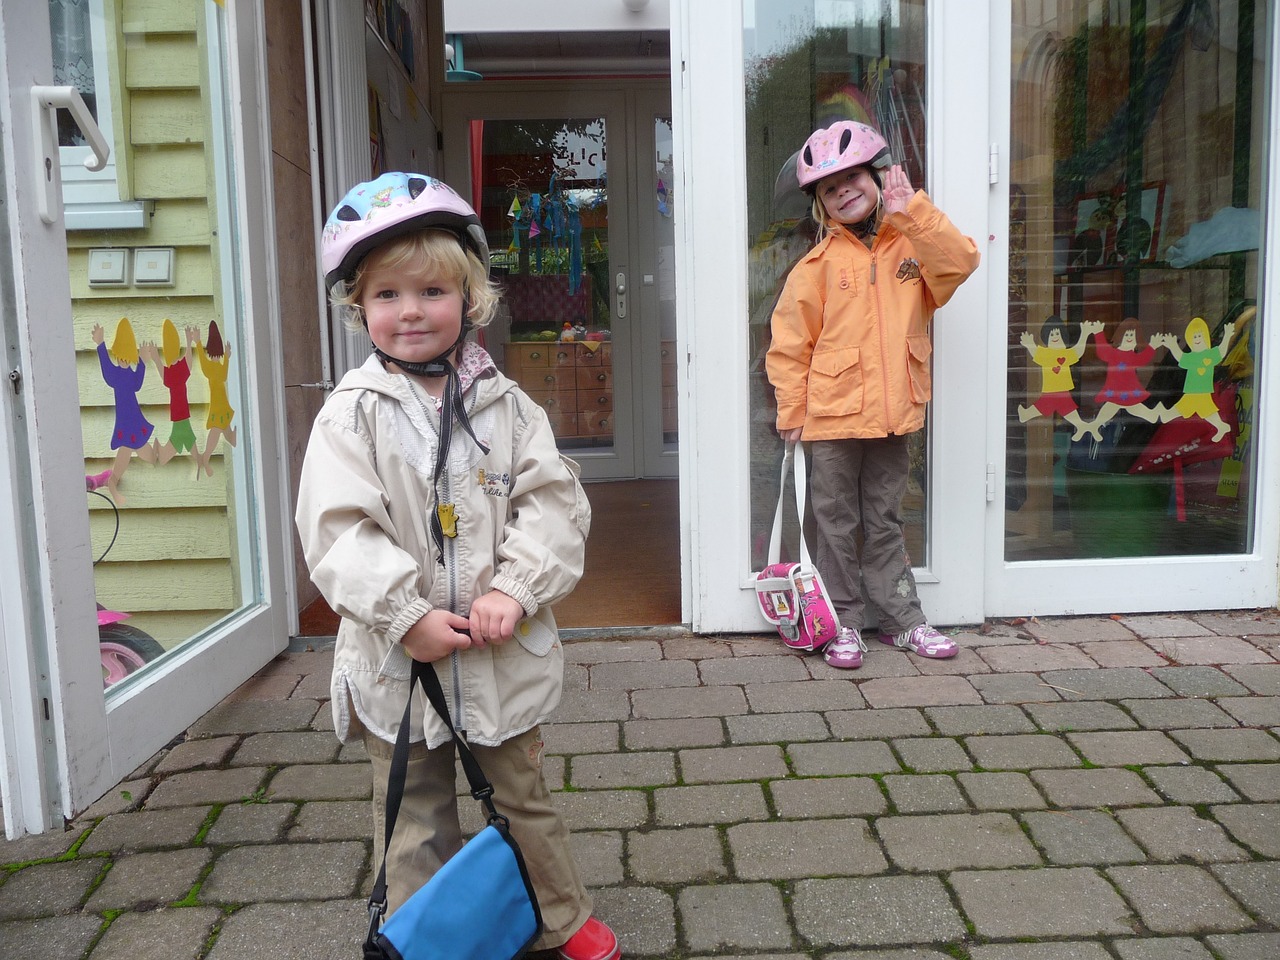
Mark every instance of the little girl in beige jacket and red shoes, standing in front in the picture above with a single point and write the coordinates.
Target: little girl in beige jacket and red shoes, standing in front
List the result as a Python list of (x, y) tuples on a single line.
[(440, 520)]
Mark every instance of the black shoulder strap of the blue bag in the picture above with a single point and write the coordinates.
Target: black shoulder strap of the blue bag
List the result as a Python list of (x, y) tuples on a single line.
[(424, 675)]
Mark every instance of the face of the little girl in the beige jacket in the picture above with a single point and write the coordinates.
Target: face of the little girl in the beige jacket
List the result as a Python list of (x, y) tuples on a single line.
[(413, 313)]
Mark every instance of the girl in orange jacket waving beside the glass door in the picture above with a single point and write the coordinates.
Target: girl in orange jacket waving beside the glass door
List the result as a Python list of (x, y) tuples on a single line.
[(851, 367)]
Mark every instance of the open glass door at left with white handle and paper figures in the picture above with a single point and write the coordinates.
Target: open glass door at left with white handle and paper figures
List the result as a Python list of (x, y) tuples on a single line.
[(141, 356)]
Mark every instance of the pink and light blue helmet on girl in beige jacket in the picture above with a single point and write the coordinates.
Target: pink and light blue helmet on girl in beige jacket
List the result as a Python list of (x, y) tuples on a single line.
[(390, 207)]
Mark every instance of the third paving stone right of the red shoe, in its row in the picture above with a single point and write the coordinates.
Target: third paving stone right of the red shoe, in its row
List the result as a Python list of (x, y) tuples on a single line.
[(892, 911)]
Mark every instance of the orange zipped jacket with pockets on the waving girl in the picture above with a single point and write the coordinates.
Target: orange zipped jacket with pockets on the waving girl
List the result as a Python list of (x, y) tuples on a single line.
[(851, 349)]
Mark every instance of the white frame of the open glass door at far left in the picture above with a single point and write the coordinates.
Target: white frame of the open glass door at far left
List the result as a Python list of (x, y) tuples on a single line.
[(51, 668)]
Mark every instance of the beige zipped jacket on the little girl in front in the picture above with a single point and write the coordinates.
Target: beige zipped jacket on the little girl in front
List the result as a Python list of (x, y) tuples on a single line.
[(363, 515)]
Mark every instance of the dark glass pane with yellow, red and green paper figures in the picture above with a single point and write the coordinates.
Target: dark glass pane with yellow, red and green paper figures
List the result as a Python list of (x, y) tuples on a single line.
[(1139, 134)]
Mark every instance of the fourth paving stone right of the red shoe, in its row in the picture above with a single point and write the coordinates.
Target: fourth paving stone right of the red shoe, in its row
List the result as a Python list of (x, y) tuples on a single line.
[(1004, 904)]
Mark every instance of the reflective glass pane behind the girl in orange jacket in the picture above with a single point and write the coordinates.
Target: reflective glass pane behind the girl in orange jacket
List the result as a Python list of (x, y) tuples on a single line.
[(810, 65)]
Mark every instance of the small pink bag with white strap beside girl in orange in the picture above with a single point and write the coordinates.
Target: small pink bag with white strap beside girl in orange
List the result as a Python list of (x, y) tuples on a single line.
[(793, 597)]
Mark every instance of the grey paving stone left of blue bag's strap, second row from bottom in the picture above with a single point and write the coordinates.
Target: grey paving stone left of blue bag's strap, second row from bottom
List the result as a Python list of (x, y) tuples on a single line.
[(286, 872)]
